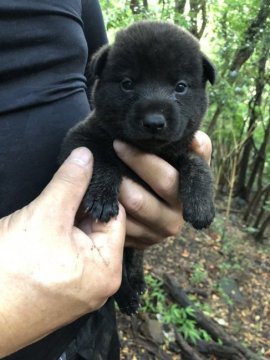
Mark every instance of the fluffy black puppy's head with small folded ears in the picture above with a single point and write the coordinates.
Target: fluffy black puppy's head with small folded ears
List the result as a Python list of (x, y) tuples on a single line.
[(150, 86)]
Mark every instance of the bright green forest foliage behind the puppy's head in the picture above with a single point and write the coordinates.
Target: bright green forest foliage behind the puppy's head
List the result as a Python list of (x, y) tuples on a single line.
[(233, 100)]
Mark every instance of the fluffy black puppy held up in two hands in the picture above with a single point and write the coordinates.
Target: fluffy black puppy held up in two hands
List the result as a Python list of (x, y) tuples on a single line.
[(150, 92)]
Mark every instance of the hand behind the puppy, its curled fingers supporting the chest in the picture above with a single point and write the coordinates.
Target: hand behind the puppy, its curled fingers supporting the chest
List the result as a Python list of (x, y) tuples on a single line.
[(150, 220)]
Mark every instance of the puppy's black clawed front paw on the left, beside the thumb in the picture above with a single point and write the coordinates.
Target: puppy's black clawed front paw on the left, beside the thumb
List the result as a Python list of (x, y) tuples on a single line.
[(102, 205)]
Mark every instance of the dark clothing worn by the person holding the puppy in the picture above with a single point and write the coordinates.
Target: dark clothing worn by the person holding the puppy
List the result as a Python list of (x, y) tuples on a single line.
[(43, 54)]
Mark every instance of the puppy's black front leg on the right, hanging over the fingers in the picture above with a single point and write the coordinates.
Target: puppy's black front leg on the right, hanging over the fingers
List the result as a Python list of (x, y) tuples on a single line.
[(196, 189)]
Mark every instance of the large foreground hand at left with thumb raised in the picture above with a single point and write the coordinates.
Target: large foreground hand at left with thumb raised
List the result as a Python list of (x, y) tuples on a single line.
[(52, 272)]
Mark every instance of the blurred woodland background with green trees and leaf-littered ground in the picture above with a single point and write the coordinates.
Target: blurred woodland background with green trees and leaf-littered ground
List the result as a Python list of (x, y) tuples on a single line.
[(222, 273)]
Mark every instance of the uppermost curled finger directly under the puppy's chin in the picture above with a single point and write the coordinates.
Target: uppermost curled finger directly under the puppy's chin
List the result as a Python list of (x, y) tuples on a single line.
[(162, 177)]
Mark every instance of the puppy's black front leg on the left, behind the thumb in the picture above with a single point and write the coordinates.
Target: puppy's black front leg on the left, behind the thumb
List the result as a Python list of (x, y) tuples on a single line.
[(101, 197)]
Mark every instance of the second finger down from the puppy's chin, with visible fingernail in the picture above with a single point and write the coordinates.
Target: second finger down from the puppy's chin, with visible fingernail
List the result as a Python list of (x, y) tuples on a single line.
[(148, 210)]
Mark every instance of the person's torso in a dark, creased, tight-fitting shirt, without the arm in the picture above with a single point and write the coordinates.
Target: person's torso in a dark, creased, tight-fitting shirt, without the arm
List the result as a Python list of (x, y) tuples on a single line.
[(43, 54)]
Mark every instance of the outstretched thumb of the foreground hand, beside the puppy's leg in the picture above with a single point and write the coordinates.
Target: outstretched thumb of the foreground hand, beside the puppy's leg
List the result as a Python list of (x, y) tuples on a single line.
[(65, 191)]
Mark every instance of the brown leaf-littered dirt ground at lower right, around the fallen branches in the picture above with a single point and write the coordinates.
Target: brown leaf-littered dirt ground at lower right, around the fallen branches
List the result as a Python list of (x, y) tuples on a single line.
[(229, 257)]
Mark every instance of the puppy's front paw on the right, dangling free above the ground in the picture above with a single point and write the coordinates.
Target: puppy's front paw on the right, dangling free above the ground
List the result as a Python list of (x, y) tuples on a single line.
[(199, 212)]
